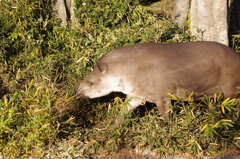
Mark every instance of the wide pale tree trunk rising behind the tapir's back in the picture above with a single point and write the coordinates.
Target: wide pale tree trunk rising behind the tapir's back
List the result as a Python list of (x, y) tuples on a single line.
[(209, 20)]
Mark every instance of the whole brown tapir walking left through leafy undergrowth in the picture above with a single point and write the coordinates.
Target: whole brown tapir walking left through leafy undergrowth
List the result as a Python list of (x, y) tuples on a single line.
[(149, 71)]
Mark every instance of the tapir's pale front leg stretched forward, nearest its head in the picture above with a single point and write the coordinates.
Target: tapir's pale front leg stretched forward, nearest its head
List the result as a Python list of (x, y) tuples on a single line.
[(132, 103)]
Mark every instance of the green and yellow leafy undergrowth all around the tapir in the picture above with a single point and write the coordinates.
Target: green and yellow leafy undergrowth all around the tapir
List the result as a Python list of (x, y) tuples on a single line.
[(41, 63)]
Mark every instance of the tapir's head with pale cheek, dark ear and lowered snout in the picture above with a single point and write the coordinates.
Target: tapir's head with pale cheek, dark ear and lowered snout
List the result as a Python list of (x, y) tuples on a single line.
[(98, 83)]
